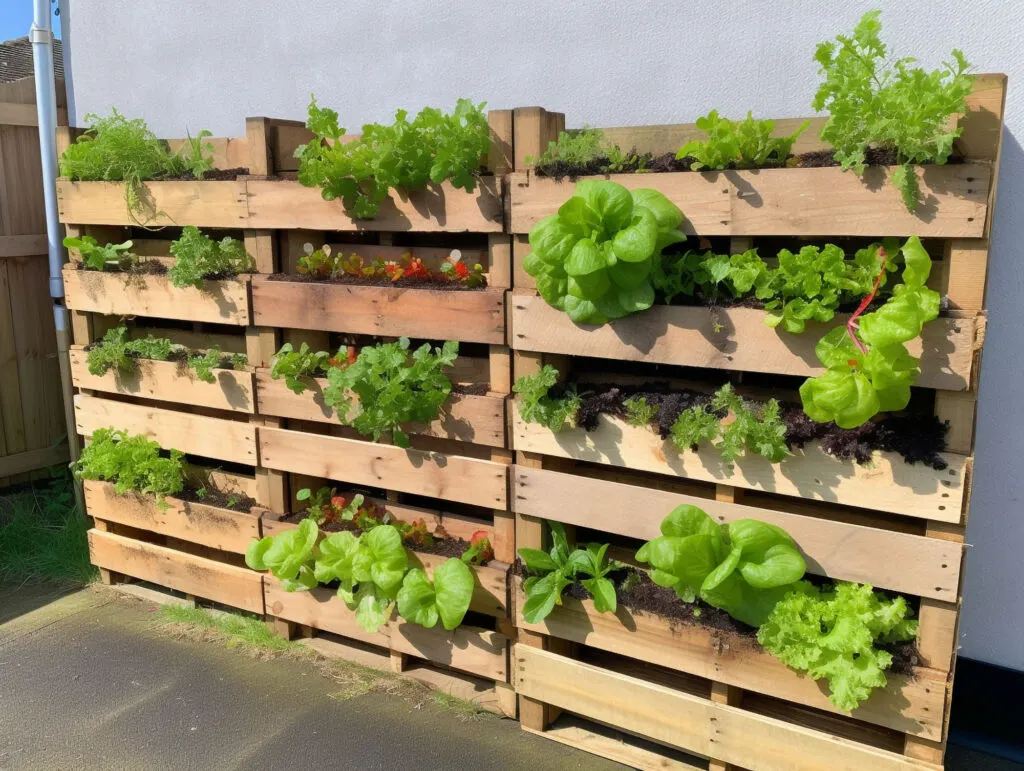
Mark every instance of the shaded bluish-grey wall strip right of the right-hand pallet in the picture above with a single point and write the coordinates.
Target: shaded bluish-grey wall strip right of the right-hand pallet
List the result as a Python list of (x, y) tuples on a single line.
[(997, 529)]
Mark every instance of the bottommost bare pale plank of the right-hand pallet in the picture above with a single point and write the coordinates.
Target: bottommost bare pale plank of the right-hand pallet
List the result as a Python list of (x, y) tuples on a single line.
[(692, 723)]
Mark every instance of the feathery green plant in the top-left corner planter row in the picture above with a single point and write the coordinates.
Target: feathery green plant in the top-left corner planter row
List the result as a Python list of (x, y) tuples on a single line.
[(118, 150)]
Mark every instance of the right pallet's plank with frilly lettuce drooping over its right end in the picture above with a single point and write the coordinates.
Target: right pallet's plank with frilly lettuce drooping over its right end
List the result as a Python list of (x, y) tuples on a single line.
[(911, 705)]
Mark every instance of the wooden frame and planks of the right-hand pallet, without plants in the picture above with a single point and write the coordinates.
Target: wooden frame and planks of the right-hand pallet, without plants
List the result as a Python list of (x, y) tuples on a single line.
[(711, 694)]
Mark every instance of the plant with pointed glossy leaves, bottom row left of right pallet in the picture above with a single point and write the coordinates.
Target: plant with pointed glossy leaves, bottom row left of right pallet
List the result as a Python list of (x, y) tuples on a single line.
[(556, 570)]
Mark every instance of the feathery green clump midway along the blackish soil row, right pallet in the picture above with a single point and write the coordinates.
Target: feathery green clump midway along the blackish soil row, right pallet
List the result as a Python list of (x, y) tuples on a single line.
[(754, 429)]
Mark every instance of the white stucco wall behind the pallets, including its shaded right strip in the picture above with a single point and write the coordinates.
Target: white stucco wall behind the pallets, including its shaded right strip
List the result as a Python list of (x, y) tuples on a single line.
[(208, 65)]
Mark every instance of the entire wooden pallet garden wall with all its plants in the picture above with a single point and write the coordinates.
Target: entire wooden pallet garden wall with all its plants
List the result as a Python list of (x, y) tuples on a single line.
[(664, 435)]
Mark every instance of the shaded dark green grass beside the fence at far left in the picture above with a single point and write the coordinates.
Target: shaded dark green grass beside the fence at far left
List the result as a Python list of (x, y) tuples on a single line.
[(44, 536)]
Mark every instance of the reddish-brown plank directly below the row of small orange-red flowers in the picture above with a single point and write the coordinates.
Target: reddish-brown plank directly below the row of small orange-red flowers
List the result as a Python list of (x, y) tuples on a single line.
[(475, 317)]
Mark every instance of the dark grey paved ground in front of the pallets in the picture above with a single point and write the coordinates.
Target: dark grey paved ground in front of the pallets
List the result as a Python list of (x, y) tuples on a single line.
[(86, 683)]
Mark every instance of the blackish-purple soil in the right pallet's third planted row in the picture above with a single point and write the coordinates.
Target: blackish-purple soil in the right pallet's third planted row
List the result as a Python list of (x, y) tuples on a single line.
[(917, 438)]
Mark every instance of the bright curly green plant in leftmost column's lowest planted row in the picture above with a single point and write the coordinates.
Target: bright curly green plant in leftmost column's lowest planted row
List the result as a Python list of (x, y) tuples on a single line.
[(133, 463)]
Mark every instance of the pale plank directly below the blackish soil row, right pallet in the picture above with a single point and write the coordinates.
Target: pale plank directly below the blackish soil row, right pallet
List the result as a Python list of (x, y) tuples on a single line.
[(886, 485)]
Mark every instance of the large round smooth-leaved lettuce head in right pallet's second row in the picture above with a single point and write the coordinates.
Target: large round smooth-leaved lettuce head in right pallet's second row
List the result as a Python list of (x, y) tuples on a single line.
[(594, 259)]
